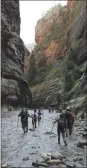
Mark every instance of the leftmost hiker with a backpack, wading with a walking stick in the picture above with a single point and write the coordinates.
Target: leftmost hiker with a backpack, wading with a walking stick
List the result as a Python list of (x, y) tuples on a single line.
[(24, 119)]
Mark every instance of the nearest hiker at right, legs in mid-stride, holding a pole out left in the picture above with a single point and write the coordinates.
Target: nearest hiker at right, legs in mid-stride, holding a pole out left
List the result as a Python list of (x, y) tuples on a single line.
[(61, 129)]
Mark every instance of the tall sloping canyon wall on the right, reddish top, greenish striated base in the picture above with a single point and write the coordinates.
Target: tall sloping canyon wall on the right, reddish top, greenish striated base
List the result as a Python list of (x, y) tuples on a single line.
[(70, 31)]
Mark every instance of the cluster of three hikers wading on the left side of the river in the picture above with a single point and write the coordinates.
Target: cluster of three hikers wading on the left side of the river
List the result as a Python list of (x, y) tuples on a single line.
[(24, 118)]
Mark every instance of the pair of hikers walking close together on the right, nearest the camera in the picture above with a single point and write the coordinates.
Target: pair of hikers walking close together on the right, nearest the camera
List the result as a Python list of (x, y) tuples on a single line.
[(65, 124)]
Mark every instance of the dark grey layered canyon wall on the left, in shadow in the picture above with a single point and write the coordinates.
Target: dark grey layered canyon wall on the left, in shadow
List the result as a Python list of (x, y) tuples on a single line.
[(14, 85)]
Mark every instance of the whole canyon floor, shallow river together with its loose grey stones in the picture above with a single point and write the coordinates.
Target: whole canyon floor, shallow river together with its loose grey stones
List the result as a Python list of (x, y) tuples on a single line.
[(39, 147)]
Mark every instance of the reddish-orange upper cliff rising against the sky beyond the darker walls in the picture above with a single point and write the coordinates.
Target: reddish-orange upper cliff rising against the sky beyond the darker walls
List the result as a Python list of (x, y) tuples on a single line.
[(47, 26)]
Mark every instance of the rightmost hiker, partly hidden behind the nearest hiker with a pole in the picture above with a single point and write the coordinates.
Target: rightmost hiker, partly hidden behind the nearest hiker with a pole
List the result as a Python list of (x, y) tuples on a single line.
[(68, 120)]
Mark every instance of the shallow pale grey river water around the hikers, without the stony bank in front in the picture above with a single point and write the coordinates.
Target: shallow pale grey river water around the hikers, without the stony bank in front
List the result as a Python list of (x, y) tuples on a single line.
[(16, 145)]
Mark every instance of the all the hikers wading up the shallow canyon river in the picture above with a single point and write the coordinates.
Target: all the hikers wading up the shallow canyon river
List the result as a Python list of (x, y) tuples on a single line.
[(64, 122)]
